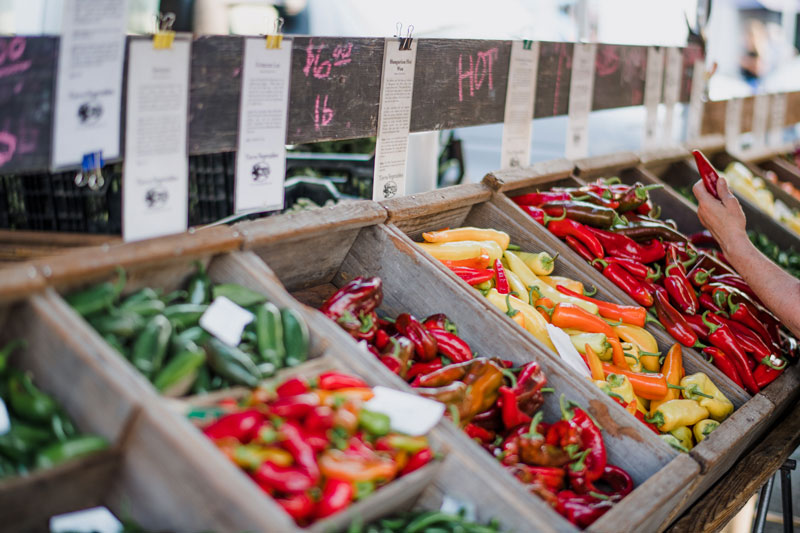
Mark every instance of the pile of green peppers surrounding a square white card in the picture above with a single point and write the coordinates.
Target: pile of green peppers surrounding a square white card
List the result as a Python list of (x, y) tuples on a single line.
[(161, 336)]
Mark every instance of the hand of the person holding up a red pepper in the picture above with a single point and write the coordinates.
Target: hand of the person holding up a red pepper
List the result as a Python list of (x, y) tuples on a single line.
[(724, 217)]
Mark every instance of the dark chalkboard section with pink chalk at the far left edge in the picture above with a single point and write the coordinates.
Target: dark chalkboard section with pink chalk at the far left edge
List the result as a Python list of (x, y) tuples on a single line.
[(27, 81)]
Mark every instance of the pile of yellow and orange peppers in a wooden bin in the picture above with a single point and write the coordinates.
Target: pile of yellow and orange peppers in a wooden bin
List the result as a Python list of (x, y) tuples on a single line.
[(621, 358)]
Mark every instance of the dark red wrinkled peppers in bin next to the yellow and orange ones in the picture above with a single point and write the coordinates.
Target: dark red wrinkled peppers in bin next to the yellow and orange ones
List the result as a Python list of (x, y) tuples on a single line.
[(494, 402)]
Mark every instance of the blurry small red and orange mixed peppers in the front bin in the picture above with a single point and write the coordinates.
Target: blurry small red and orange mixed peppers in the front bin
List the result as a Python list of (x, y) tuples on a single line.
[(313, 447)]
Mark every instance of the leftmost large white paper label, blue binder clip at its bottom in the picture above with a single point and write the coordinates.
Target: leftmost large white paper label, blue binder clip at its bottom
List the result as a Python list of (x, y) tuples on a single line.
[(89, 82)]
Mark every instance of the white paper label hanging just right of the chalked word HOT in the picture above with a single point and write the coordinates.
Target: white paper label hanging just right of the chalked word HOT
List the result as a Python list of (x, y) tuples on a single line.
[(520, 96)]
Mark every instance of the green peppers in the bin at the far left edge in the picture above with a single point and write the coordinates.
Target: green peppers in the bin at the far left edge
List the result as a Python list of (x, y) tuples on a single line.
[(41, 434)]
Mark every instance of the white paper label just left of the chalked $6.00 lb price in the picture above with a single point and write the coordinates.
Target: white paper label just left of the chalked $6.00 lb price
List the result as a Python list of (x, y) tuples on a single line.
[(263, 111)]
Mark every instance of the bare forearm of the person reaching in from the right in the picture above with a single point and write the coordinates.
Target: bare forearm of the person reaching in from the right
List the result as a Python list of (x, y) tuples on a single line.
[(779, 290)]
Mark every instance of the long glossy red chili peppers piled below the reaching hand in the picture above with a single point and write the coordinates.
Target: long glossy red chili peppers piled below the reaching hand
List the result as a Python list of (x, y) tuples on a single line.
[(615, 227)]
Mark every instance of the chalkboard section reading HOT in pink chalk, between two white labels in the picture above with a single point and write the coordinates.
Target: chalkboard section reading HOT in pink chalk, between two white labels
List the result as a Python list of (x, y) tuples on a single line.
[(459, 82)]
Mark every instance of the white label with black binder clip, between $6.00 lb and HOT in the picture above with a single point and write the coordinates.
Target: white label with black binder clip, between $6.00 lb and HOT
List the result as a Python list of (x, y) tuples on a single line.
[(394, 120)]
